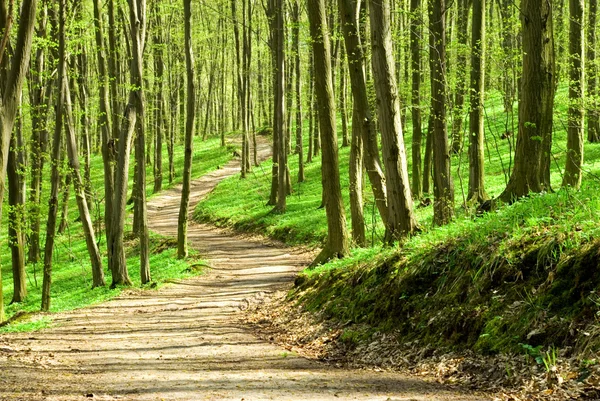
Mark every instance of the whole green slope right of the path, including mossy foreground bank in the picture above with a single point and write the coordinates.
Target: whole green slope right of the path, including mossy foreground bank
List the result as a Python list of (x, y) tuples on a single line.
[(485, 282)]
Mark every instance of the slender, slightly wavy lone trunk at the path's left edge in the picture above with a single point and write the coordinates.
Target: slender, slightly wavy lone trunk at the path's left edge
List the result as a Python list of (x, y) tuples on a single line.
[(182, 250)]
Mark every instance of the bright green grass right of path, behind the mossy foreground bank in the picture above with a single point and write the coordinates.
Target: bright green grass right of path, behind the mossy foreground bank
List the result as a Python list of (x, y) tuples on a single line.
[(242, 203)]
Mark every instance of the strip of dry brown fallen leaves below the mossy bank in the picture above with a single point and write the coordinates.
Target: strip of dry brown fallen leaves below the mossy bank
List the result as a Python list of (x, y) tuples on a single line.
[(508, 377)]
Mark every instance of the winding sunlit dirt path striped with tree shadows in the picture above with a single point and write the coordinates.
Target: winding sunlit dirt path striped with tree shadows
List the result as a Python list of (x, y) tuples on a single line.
[(185, 341)]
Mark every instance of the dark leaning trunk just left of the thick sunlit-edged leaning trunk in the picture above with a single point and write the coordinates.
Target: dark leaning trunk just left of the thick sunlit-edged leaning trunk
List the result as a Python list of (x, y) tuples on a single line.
[(356, 65)]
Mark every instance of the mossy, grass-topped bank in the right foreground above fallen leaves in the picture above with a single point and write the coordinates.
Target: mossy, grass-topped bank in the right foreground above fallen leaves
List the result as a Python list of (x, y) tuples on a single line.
[(524, 274)]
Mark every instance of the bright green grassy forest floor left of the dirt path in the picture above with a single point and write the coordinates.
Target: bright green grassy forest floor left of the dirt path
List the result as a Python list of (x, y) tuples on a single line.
[(71, 286)]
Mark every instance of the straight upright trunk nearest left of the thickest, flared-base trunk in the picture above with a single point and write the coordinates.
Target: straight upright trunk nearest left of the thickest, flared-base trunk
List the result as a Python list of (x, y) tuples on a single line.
[(477, 192)]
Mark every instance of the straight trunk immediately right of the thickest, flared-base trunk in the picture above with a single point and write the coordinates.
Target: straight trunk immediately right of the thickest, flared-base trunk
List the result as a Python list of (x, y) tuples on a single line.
[(572, 176)]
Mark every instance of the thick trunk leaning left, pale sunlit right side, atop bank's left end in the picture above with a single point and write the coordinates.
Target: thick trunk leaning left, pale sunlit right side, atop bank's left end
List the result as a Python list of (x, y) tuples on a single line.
[(401, 220)]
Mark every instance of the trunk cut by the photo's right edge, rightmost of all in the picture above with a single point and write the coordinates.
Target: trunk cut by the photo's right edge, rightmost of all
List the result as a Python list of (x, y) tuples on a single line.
[(592, 75)]
